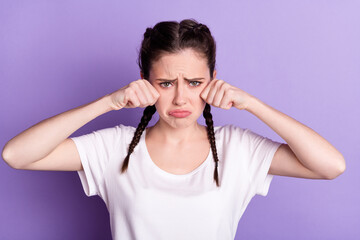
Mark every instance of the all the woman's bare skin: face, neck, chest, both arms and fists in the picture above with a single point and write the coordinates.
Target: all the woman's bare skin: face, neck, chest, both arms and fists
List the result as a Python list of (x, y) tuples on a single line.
[(306, 154)]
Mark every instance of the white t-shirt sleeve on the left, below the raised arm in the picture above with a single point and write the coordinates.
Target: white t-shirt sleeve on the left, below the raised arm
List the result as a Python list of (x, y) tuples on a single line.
[(95, 150)]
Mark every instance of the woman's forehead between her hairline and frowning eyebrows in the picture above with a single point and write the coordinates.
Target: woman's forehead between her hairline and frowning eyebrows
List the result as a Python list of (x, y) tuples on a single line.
[(186, 62)]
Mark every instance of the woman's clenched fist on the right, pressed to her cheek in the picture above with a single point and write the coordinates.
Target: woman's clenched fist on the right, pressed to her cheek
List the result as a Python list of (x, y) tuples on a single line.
[(223, 95)]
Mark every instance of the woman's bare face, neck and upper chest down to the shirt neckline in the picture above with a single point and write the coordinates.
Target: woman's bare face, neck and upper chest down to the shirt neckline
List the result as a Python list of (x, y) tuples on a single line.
[(185, 140)]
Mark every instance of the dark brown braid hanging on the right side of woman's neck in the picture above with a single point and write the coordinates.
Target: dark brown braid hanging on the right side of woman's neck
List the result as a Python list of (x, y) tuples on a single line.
[(211, 137)]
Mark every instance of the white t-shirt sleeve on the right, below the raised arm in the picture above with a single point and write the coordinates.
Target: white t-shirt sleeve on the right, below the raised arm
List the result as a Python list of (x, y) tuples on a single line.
[(261, 152)]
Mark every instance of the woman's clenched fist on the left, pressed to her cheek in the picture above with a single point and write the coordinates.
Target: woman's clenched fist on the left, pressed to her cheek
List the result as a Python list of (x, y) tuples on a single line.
[(139, 93)]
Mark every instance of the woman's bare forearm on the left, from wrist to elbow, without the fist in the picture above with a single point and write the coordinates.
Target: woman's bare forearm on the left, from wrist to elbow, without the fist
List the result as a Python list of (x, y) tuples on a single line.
[(40, 140)]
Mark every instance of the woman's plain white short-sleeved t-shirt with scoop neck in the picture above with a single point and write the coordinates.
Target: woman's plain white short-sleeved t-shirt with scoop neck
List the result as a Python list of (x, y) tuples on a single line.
[(149, 203)]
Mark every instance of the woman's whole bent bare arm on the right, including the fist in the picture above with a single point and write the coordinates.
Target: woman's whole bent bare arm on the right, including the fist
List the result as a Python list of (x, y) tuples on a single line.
[(306, 154)]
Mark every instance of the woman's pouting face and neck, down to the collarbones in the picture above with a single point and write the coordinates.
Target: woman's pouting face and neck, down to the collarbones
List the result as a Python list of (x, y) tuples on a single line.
[(180, 94)]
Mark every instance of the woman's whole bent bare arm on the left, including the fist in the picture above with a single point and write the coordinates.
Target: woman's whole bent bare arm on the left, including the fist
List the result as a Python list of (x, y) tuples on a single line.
[(46, 146)]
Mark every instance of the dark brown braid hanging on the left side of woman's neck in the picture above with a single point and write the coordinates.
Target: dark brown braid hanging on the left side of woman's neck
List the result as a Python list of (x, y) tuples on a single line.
[(147, 115)]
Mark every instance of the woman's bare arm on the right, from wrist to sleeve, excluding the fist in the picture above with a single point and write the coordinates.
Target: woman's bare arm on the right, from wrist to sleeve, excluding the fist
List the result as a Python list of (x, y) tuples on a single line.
[(306, 154)]
